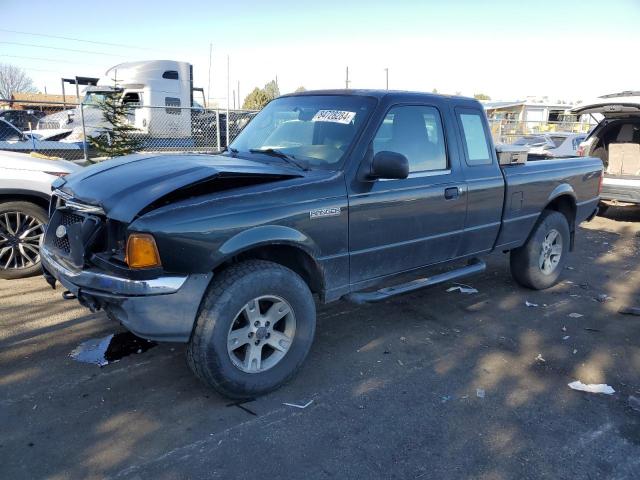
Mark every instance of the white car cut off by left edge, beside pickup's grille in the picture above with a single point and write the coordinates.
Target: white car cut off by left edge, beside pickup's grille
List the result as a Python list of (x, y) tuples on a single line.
[(25, 189)]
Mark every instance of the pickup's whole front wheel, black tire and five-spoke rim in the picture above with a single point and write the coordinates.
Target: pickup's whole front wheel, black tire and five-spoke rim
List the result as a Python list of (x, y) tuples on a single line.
[(254, 329)]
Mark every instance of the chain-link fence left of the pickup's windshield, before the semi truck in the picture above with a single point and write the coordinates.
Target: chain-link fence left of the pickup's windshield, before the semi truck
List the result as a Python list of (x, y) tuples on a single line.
[(50, 129)]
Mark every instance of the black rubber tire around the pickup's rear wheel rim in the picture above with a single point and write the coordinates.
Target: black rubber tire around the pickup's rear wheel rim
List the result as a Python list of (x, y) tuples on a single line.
[(525, 261)]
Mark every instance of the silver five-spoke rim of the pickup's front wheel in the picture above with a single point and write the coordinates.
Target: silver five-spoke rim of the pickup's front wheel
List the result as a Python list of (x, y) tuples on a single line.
[(261, 334)]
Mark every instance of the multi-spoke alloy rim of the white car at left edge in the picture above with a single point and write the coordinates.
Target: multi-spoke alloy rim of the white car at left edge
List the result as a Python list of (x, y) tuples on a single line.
[(20, 238)]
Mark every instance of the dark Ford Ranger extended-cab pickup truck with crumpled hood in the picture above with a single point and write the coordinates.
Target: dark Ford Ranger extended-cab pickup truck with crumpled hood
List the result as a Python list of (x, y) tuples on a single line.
[(323, 196)]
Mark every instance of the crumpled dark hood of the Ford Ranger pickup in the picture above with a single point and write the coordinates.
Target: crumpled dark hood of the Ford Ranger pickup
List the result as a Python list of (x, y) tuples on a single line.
[(125, 186)]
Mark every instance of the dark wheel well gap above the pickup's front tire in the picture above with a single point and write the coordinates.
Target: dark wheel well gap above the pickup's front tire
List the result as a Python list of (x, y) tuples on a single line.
[(289, 256)]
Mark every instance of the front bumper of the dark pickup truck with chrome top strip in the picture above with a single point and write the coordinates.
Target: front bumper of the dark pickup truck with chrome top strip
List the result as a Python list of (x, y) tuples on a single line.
[(160, 309)]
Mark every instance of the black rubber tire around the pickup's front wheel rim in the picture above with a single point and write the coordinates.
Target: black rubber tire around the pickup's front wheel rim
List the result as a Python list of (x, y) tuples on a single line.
[(234, 287)]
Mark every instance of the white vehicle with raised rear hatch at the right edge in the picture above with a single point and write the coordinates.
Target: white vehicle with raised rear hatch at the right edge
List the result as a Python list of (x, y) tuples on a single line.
[(616, 141)]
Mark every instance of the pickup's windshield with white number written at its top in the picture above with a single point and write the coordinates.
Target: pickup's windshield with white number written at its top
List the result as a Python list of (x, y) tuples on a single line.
[(318, 129)]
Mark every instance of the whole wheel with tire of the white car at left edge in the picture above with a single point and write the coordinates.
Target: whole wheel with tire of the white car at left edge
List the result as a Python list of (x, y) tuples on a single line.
[(22, 227)]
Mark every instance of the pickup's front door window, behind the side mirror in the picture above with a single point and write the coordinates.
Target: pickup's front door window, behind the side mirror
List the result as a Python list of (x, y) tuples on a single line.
[(415, 132)]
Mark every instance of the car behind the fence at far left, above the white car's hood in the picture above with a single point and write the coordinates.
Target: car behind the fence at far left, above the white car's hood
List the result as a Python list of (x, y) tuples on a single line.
[(12, 139)]
